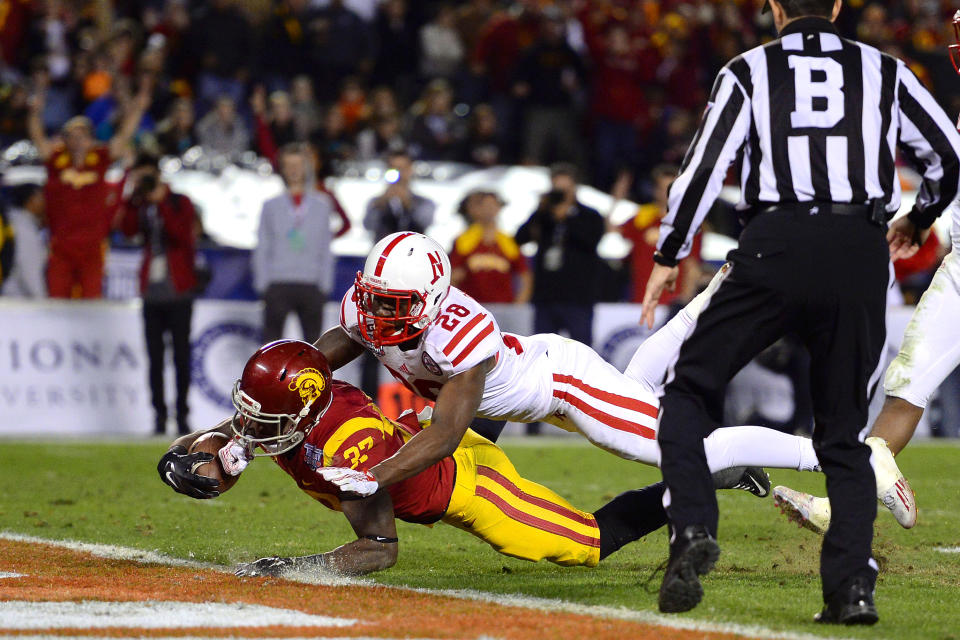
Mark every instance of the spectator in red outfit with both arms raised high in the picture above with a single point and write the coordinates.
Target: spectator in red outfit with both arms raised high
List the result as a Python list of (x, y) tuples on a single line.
[(80, 203)]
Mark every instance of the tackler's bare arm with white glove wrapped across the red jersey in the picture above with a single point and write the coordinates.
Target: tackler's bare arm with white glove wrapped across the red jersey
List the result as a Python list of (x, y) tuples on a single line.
[(453, 412)]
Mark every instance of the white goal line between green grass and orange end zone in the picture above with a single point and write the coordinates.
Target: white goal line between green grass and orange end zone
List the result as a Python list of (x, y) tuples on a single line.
[(526, 602)]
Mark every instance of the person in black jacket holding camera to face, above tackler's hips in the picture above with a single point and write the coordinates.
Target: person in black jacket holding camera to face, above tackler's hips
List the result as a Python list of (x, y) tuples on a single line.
[(566, 266)]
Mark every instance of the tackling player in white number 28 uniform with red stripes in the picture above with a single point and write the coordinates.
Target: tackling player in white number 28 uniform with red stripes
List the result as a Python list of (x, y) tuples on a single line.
[(446, 347)]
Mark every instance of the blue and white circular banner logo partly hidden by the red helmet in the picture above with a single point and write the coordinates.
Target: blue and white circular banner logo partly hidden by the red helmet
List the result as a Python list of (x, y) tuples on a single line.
[(218, 356)]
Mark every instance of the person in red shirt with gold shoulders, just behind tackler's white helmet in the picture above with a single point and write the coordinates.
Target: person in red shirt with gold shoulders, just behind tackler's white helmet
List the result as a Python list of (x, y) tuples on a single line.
[(486, 261)]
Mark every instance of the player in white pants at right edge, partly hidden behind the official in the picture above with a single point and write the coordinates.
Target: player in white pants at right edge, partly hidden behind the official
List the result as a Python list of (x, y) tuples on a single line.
[(930, 351)]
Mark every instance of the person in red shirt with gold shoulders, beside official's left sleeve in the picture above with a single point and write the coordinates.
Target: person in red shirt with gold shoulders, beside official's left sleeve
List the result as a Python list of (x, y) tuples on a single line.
[(643, 230)]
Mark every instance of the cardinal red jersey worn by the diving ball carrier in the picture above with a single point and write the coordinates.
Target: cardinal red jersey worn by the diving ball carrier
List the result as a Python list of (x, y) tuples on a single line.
[(354, 433)]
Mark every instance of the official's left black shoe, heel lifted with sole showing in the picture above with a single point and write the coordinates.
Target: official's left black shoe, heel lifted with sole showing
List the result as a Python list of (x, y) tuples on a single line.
[(692, 554)]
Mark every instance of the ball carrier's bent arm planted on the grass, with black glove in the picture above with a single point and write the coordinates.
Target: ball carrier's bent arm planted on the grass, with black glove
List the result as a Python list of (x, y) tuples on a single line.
[(374, 549)]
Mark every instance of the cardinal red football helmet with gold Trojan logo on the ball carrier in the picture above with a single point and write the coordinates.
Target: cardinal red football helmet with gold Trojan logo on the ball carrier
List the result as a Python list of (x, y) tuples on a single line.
[(281, 396)]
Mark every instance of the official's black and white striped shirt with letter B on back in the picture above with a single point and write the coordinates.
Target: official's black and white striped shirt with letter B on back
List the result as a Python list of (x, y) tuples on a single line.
[(818, 118)]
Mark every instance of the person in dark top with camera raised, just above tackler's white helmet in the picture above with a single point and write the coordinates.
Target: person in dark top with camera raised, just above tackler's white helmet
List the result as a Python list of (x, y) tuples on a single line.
[(398, 208)]
